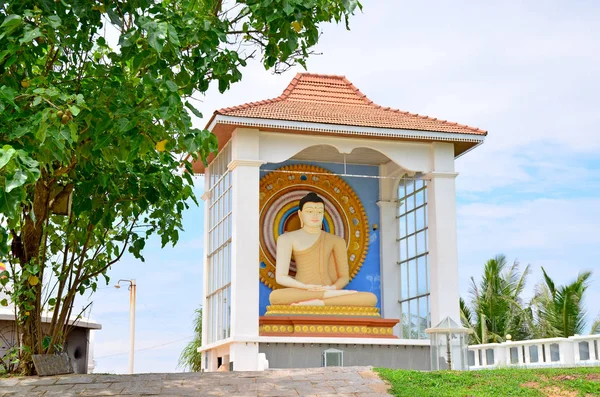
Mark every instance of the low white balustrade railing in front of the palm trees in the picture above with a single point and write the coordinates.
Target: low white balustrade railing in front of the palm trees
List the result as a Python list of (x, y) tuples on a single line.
[(552, 352)]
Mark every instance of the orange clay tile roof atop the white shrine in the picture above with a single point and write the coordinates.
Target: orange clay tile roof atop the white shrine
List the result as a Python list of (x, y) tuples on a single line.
[(333, 99)]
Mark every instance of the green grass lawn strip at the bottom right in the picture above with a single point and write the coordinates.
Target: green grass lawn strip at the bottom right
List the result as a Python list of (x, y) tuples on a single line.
[(554, 382)]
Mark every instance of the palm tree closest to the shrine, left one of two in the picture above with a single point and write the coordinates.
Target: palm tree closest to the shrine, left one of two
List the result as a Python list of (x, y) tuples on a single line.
[(496, 307)]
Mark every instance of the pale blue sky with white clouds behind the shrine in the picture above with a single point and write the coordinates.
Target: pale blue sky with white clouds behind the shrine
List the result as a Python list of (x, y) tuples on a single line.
[(526, 71)]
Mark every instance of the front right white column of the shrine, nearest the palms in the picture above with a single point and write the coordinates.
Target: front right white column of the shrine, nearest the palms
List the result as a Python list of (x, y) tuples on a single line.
[(443, 251)]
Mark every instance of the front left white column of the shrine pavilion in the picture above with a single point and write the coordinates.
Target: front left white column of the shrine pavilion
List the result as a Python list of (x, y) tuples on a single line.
[(245, 174)]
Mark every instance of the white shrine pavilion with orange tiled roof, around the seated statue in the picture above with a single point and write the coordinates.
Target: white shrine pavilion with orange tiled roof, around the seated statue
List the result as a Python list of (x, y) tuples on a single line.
[(388, 180)]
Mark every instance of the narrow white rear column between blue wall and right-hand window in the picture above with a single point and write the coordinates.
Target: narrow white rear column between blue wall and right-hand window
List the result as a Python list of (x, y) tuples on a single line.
[(390, 271)]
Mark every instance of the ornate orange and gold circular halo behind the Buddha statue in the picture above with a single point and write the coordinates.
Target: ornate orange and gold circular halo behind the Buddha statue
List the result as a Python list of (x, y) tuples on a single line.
[(280, 193)]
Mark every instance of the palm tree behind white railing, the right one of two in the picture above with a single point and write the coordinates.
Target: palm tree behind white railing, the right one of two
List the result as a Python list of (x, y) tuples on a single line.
[(559, 310)]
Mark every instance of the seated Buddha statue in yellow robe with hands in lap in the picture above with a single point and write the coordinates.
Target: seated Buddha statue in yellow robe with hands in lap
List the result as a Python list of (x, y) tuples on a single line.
[(322, 269)]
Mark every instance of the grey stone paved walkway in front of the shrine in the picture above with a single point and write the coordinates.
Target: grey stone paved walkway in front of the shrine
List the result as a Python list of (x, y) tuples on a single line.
[(321, 382)]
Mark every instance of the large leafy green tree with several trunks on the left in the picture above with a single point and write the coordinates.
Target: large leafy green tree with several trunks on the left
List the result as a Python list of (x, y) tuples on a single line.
[(93, 131)]
